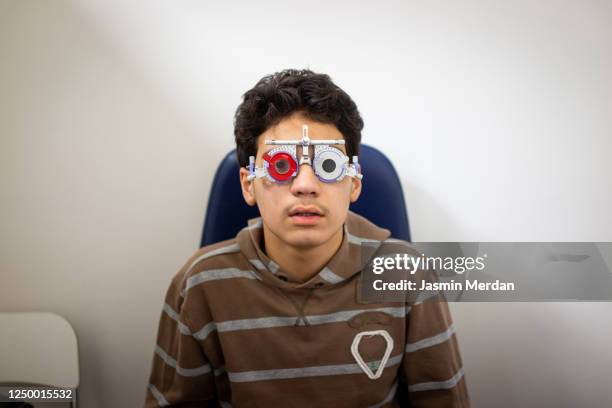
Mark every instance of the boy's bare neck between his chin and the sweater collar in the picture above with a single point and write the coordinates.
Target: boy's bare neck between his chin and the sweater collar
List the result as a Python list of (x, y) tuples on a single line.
[(301, 263)]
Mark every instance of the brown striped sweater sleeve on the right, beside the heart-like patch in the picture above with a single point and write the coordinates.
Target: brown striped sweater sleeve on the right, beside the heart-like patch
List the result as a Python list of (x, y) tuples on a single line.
[(432, 367)]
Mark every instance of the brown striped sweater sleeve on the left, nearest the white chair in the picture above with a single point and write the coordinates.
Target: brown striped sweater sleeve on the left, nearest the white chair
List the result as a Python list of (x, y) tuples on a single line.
[(181, 374)]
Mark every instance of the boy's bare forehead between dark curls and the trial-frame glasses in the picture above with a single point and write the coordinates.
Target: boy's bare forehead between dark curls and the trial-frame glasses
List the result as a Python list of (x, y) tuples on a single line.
[(290, 128)]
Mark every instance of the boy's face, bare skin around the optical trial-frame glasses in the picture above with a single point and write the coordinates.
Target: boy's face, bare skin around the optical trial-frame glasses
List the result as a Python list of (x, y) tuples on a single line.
[(287, 209)]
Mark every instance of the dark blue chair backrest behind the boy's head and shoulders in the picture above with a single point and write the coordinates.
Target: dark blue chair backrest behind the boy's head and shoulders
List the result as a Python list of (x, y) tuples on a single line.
[(381, 200)]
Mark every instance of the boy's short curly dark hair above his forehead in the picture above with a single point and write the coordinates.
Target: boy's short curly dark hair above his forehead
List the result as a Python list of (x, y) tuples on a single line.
[(277, 96)]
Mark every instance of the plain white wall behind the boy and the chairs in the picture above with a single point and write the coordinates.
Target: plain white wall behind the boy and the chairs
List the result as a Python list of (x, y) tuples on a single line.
[(113, 117)]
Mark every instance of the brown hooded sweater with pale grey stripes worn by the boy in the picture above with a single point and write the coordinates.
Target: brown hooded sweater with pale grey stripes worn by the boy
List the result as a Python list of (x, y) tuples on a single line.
[(236, 332)]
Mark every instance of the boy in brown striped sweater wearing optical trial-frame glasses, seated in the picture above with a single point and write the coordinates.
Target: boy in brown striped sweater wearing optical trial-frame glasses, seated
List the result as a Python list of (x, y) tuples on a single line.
[(271, 317)]
